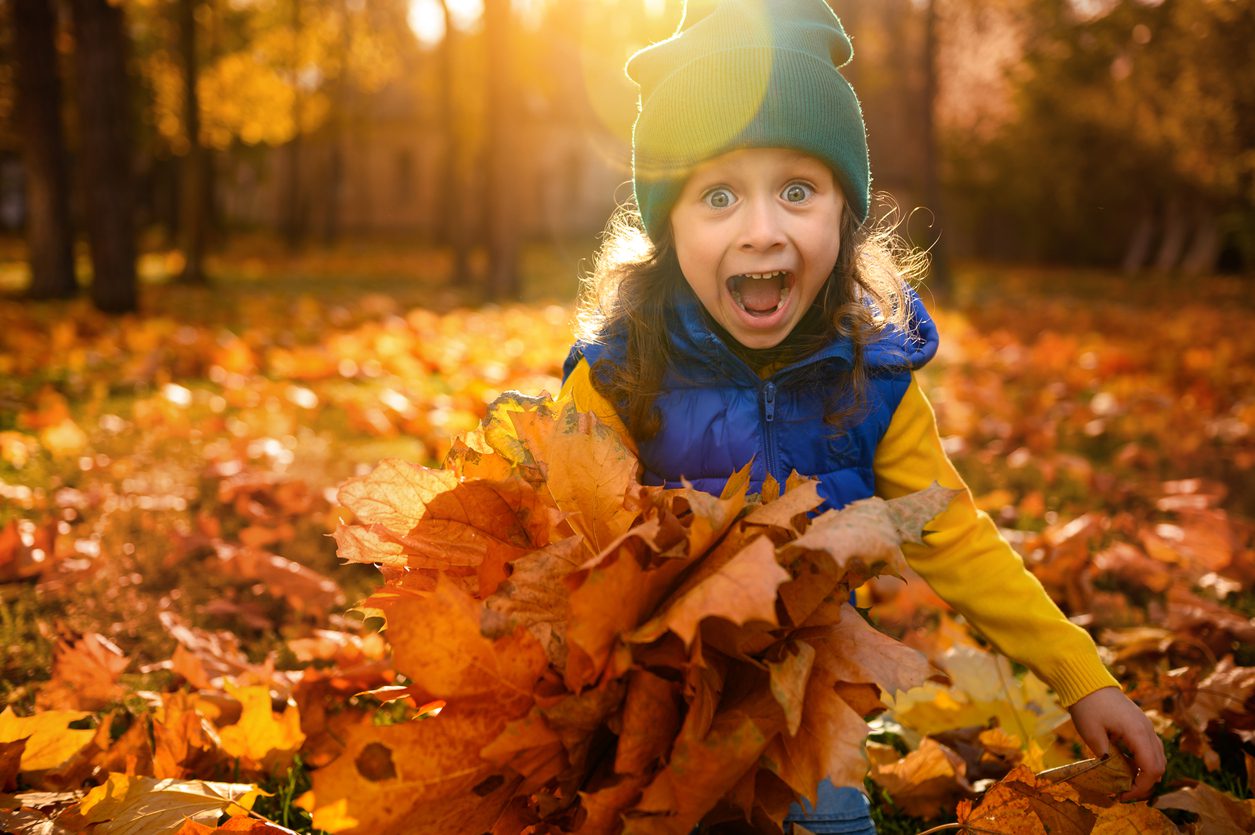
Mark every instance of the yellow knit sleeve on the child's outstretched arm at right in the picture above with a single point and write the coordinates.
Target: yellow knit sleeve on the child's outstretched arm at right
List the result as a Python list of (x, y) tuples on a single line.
[(975, 569)]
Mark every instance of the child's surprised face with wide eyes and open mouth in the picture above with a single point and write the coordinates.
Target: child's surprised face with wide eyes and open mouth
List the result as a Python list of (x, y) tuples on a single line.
[(742, 220)]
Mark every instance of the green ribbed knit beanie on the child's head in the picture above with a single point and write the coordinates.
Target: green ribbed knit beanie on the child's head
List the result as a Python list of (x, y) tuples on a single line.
[(746, 75)]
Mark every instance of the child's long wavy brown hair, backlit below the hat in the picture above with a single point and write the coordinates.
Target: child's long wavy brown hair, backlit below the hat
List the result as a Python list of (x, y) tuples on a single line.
[(636, 282)]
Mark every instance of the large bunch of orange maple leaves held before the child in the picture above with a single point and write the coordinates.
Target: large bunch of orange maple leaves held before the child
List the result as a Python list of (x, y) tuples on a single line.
[(611, 657)]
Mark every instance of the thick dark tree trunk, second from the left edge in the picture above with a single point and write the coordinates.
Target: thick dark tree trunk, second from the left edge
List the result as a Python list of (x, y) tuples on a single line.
[(109, 180)]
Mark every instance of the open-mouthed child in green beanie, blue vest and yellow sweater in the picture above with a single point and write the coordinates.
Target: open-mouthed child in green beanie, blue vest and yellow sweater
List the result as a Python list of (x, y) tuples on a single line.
[(761, 320)]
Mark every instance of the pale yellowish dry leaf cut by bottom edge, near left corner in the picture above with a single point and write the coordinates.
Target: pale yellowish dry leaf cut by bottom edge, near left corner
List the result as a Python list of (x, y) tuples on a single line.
[(144, 805)]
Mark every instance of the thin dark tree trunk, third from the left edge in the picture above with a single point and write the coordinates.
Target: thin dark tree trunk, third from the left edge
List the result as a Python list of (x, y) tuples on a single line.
[(194, 218)]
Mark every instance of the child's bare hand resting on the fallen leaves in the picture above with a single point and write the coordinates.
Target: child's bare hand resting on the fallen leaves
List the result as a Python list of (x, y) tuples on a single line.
[(1109, 714)]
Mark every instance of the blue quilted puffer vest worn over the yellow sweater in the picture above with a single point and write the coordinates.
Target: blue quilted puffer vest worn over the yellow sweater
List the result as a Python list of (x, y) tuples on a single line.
[(718, 414)]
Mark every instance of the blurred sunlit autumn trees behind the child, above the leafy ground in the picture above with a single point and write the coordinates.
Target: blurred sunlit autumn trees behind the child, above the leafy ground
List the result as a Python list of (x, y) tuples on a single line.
[(485, 132)]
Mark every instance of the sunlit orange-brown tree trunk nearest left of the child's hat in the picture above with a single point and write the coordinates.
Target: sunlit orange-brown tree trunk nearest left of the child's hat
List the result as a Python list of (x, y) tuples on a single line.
[(499, 191)]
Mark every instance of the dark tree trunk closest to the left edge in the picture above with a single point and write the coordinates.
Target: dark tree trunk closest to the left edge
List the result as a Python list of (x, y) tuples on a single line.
[(50, 235)]
